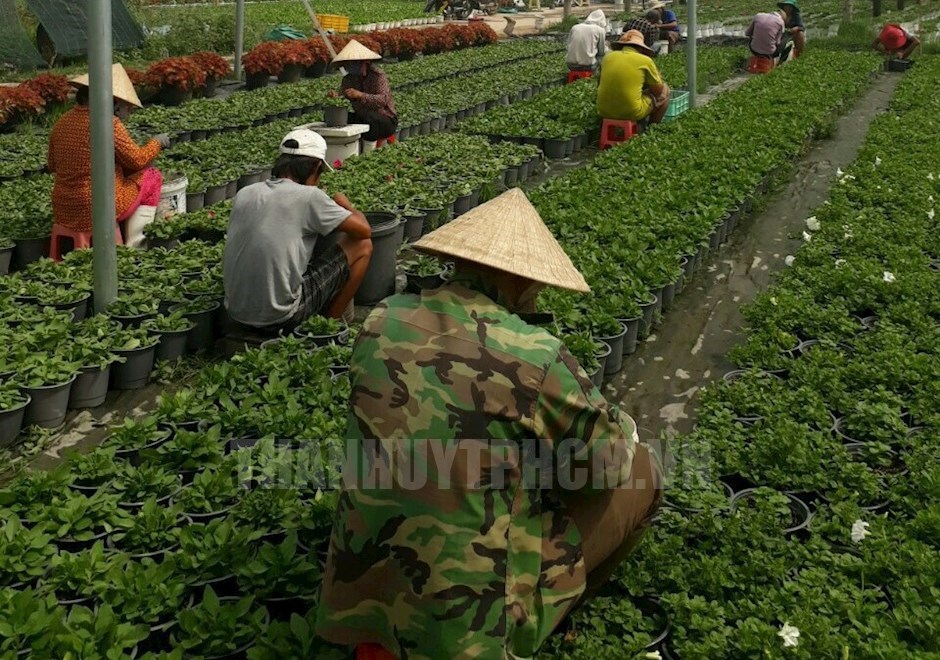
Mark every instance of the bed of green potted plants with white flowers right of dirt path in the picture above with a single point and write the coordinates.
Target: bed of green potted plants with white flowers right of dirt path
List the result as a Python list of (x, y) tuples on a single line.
[(847, 424)]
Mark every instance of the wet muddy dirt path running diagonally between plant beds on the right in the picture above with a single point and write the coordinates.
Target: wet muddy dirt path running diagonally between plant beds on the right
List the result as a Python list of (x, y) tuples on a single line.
[(659, 383)]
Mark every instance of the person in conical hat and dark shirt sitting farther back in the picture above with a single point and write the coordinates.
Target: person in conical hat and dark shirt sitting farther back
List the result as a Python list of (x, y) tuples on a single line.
[(366, 86)]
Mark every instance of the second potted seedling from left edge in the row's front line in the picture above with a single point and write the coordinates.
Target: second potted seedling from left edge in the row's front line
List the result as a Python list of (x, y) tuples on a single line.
[(47, 379)]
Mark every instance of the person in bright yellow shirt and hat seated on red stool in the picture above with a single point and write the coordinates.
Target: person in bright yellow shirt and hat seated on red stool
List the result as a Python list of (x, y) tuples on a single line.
[(631, 86)]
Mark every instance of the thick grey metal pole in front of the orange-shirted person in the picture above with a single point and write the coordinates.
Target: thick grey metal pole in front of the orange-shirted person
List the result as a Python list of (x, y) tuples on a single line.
[(102, 152)]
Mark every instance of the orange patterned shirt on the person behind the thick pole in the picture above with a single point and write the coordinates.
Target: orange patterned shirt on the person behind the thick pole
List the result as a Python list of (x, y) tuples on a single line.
[(70, 160)]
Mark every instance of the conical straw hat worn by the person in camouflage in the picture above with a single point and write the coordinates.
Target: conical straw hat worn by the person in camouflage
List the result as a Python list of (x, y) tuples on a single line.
[(508, 234)]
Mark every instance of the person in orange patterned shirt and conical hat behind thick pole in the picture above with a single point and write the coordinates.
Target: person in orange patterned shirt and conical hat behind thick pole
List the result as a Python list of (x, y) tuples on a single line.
[(135, 182)]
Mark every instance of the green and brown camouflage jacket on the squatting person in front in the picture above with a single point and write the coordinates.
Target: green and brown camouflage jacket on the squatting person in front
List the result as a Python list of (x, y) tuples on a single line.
[(480, 559)]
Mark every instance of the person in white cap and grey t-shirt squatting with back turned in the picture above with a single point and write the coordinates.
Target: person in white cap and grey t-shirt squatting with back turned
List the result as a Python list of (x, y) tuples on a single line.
[(275, 270)]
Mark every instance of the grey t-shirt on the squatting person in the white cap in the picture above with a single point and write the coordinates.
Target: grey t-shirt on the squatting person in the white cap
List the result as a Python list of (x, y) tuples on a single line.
[(271, 236)]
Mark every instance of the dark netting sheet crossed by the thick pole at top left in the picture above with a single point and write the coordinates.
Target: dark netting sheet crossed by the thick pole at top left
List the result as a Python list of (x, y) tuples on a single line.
[(66, 23)]
